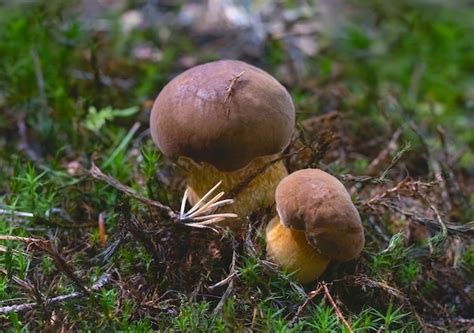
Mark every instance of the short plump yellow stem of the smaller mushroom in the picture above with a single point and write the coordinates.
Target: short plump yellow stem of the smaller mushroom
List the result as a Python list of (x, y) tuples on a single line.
[(289, 249)]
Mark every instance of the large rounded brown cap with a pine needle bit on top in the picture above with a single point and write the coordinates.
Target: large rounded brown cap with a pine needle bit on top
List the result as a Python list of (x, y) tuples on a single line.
[(209, 115)]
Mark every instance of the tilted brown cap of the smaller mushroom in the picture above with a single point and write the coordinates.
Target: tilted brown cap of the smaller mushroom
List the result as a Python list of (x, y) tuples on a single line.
[(316, 202)]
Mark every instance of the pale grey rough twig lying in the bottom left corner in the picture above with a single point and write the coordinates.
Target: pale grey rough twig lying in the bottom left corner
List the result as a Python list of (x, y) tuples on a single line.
[(99, 284)]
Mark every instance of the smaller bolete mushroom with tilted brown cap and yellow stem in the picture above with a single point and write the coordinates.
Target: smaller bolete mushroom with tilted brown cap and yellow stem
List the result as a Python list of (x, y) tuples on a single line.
[(316, 222)]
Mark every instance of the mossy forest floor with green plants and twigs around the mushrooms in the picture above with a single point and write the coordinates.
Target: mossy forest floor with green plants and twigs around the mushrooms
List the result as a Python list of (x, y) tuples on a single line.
[(72, 94)]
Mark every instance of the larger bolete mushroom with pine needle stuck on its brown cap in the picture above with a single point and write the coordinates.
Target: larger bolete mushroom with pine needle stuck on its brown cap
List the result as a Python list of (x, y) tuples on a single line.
[(224, 120)]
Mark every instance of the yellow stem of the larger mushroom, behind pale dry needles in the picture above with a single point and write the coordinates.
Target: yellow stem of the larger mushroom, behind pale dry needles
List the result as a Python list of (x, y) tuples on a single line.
[(259, 193)]
